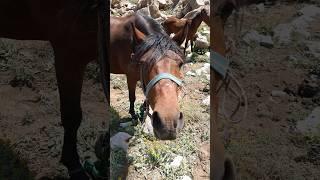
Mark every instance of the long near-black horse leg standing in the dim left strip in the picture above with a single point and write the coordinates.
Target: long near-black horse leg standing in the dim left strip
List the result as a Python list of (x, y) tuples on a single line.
[(69, 77)]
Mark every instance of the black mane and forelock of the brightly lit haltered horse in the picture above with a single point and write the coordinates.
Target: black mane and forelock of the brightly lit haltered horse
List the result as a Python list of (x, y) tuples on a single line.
[(159, 45)]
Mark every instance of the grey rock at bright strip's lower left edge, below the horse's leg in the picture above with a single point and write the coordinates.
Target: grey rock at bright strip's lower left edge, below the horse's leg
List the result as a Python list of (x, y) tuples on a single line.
[(120, 140)]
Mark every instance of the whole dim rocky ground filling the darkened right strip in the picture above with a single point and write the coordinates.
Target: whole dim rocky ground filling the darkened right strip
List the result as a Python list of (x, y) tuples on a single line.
[(277, 62)]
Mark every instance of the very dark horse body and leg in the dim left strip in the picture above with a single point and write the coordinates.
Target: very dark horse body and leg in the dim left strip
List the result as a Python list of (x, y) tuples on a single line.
[(72, 28)]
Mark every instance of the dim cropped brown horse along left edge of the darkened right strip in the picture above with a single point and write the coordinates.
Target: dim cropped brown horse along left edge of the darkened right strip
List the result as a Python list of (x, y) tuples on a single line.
[(221, 166)]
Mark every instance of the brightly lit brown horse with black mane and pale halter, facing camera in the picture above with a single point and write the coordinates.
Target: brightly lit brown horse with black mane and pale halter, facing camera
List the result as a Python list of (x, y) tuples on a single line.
[(143, 51)]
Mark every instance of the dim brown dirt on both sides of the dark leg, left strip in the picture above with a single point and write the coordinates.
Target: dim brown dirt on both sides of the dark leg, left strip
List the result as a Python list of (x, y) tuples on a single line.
[(29, 108)]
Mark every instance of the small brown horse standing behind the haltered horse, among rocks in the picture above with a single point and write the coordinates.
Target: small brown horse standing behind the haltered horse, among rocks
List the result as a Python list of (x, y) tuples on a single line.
[(187, 26)]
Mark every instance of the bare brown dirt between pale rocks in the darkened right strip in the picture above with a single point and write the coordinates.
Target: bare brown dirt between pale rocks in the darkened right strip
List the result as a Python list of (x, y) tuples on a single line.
[(264, 145)]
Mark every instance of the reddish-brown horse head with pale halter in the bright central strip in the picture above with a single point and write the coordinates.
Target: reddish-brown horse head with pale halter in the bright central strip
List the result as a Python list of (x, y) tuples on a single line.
[(161, 60)]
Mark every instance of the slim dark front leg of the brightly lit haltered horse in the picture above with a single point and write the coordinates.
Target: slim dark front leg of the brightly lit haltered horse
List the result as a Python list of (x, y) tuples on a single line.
[(132, 83)]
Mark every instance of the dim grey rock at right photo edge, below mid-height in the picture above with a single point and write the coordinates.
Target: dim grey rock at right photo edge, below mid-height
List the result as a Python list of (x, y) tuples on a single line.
[(311, 124)]
